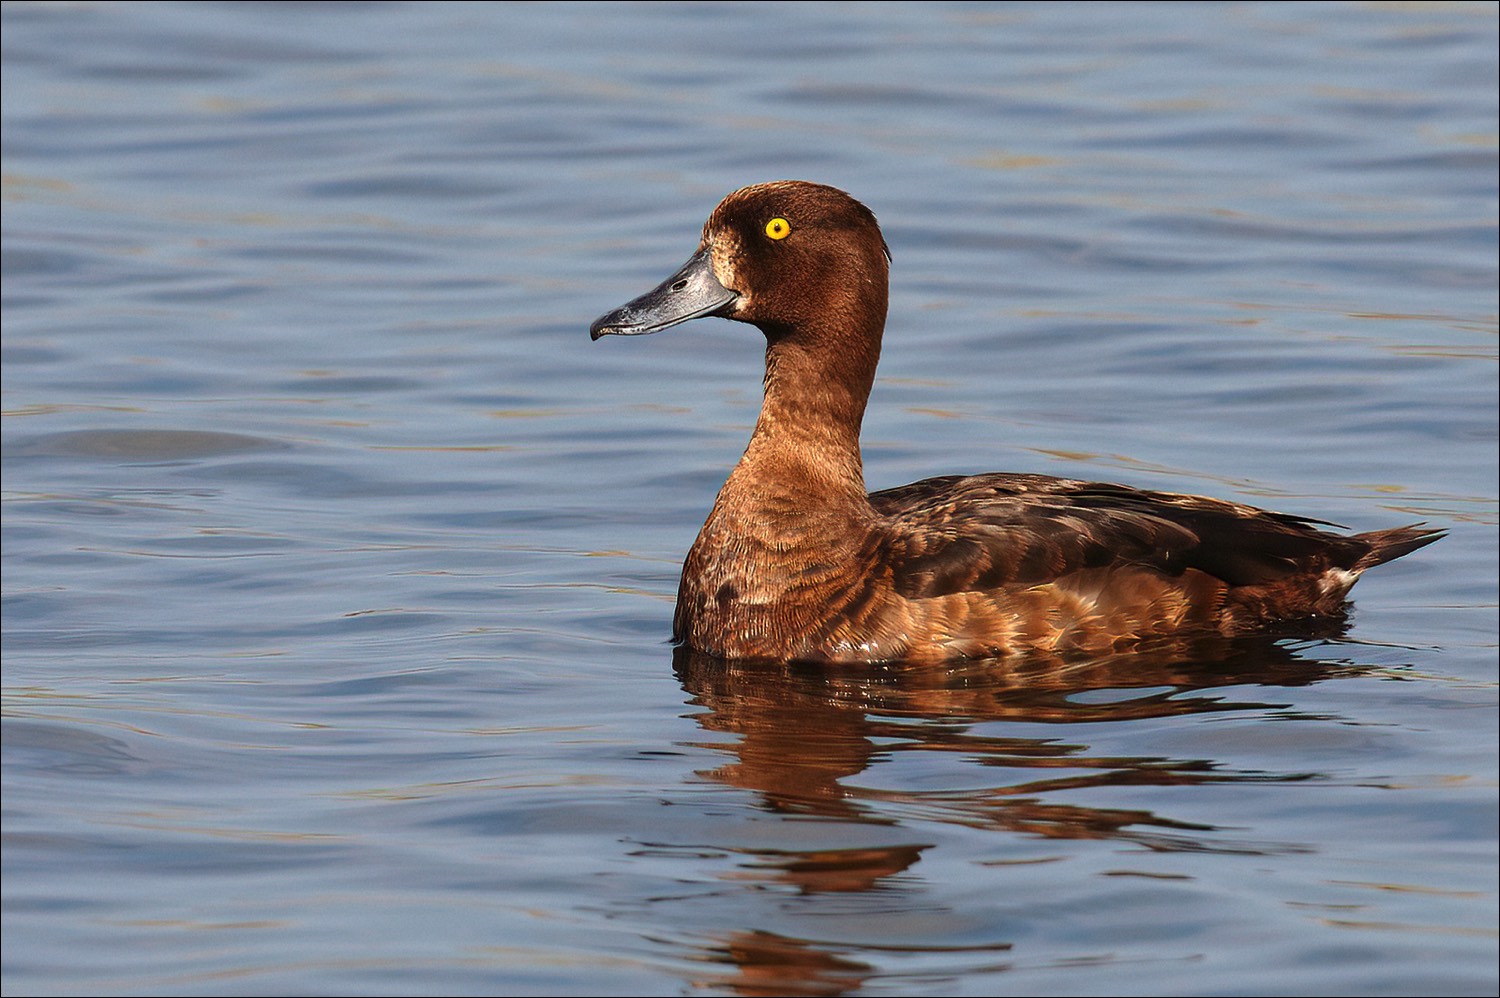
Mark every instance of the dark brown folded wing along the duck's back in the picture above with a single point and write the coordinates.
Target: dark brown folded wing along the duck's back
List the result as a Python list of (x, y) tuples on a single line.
[(958, 535)]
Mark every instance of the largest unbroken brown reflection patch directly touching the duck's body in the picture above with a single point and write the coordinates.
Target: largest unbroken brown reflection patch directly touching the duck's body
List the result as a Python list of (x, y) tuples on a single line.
[(805, 733)]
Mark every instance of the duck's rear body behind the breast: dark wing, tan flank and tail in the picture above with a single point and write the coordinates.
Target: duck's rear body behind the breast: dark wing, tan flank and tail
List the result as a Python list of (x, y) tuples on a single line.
[(1093, 565)]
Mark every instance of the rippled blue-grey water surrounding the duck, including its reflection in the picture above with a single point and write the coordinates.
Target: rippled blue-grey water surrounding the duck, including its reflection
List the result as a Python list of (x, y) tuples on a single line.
[(340, 565)]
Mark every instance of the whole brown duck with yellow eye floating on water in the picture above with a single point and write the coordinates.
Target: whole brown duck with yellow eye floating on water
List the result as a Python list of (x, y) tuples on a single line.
[(799, 562)]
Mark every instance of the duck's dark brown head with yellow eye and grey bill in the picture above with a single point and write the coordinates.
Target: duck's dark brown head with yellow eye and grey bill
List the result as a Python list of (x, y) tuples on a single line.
[(785, 256)]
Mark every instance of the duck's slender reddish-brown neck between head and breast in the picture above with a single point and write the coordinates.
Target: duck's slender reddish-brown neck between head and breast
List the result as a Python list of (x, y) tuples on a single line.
[(806, 443)]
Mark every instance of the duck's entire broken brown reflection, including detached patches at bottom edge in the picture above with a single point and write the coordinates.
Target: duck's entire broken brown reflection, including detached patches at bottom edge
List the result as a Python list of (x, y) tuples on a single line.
[(806, 733)]
